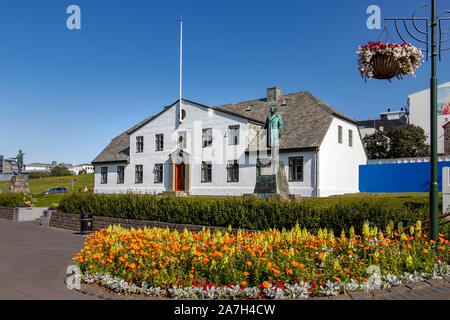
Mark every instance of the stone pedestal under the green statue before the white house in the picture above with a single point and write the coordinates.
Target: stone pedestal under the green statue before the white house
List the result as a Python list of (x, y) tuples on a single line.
[(272, 181)]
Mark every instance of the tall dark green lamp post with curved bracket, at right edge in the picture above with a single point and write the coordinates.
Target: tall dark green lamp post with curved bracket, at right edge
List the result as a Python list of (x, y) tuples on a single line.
[(433, 53)]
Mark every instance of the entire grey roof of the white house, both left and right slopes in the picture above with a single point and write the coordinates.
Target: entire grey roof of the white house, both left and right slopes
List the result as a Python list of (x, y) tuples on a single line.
[(306, 121)]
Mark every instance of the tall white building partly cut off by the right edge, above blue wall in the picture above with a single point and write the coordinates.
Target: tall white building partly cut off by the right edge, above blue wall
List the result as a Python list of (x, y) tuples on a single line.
[(419, 104)]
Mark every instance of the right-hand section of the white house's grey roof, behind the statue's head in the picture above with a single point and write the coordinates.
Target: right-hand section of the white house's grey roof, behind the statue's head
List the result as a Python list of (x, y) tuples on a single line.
[(306, 118)]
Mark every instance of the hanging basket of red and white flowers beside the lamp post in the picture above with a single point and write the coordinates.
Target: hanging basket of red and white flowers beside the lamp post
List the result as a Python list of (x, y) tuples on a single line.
[(385, 61)]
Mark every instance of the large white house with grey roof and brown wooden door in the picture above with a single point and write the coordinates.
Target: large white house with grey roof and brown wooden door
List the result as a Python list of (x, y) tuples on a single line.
[(207, 150)]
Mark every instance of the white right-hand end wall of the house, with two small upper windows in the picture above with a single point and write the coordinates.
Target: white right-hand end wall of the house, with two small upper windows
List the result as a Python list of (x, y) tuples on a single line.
[(338, 162)]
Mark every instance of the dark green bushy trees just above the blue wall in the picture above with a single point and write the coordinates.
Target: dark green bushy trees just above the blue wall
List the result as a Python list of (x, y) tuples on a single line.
[(407, 141)]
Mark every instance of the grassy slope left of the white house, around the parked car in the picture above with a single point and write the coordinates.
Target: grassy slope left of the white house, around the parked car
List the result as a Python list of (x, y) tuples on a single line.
[(37, 186)]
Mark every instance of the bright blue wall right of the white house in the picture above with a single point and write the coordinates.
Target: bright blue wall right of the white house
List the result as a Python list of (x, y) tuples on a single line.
[(399, 177)]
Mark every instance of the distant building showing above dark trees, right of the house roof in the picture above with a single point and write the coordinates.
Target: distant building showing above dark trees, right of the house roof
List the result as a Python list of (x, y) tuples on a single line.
[(388, 120)]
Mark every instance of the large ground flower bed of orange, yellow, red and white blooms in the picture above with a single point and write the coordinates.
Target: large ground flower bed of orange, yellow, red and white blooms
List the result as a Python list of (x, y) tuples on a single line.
[(257, 265)]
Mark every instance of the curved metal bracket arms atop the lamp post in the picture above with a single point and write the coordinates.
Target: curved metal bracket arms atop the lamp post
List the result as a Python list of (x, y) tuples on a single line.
[(423, 36)]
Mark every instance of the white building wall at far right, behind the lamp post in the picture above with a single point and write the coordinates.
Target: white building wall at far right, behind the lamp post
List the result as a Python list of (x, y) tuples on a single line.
[(419, 115)]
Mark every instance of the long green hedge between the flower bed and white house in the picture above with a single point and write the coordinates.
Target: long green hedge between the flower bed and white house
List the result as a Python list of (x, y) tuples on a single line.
[(331, 213)]
